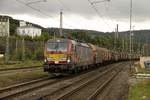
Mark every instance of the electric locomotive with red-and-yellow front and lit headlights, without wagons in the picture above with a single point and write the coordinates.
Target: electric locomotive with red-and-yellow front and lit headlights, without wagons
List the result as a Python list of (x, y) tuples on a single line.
[(67, 56)]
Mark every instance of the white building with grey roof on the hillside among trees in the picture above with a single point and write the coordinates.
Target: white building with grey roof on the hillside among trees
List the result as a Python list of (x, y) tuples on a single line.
[(28, 30)]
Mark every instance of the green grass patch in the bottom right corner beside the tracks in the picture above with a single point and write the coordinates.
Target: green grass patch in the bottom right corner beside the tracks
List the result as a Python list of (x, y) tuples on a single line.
[(140, 90)]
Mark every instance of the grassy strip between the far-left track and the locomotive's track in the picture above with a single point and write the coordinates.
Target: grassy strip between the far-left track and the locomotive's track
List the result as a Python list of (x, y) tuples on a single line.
[(21, 77)]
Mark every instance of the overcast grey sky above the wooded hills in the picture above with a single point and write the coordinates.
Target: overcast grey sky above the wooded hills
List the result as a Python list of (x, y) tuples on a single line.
[(80, 14)]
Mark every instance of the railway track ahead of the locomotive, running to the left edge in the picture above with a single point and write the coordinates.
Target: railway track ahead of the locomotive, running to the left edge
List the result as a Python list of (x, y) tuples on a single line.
[(19, 89)]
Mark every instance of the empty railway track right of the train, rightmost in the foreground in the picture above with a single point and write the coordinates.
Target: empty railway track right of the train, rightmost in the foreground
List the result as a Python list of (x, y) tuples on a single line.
[(84, 90)]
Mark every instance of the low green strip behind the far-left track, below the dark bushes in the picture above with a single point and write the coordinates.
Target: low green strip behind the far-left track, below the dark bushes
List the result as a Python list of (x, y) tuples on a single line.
[(20, 64)]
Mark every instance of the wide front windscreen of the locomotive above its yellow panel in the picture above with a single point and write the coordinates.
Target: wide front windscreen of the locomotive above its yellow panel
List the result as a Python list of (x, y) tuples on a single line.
[(57, 46)]
